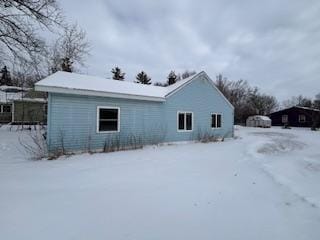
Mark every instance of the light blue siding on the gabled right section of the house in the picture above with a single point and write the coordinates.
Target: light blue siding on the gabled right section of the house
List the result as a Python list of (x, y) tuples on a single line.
[(202, 99)]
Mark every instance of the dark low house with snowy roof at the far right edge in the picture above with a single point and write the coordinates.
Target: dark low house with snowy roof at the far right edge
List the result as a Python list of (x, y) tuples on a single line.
[(296, 117)]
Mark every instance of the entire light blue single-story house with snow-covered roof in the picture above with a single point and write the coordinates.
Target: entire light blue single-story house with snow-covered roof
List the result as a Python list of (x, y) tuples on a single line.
[(86, 112)]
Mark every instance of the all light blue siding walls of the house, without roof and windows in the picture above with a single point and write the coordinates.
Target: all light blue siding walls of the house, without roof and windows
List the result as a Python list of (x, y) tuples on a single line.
[(73, 118)]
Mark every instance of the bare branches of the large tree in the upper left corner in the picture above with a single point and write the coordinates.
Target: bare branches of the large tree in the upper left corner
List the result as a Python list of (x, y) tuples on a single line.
[(20, 22)]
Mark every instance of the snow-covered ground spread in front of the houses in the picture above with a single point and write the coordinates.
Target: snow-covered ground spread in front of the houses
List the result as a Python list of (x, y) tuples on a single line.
[(262, 185)]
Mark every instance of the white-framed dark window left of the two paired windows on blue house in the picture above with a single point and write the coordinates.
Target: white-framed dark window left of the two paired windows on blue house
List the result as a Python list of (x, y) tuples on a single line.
[(108, 119)]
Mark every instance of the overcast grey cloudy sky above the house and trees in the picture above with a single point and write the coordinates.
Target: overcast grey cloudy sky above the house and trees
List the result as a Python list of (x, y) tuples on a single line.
[(272, 44)]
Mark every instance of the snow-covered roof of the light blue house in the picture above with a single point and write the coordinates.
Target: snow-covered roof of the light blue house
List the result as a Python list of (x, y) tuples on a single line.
[(74, 83)]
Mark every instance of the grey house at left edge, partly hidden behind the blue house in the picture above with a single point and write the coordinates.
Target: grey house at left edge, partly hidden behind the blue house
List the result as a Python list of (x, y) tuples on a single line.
[(22, 105)]
